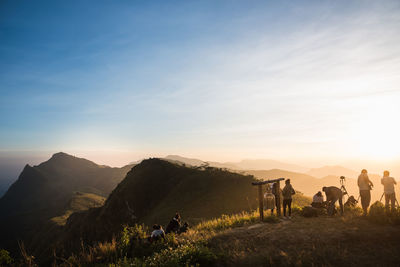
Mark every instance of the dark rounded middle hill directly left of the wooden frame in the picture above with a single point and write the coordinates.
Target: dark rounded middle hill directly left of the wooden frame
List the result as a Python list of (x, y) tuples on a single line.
[(155, 189)]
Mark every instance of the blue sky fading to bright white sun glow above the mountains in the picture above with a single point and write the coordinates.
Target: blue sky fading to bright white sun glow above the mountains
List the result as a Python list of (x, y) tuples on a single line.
[(310, 82)]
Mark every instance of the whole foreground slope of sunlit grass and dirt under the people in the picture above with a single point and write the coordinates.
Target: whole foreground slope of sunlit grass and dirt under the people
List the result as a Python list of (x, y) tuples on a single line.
[(242, 240)]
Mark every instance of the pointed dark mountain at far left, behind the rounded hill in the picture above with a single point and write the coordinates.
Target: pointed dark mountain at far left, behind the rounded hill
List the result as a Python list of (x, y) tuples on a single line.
[(45, 191)]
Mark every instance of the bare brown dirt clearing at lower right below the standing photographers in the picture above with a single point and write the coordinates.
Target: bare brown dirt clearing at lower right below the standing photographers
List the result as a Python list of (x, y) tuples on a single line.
[(319, 241)]
